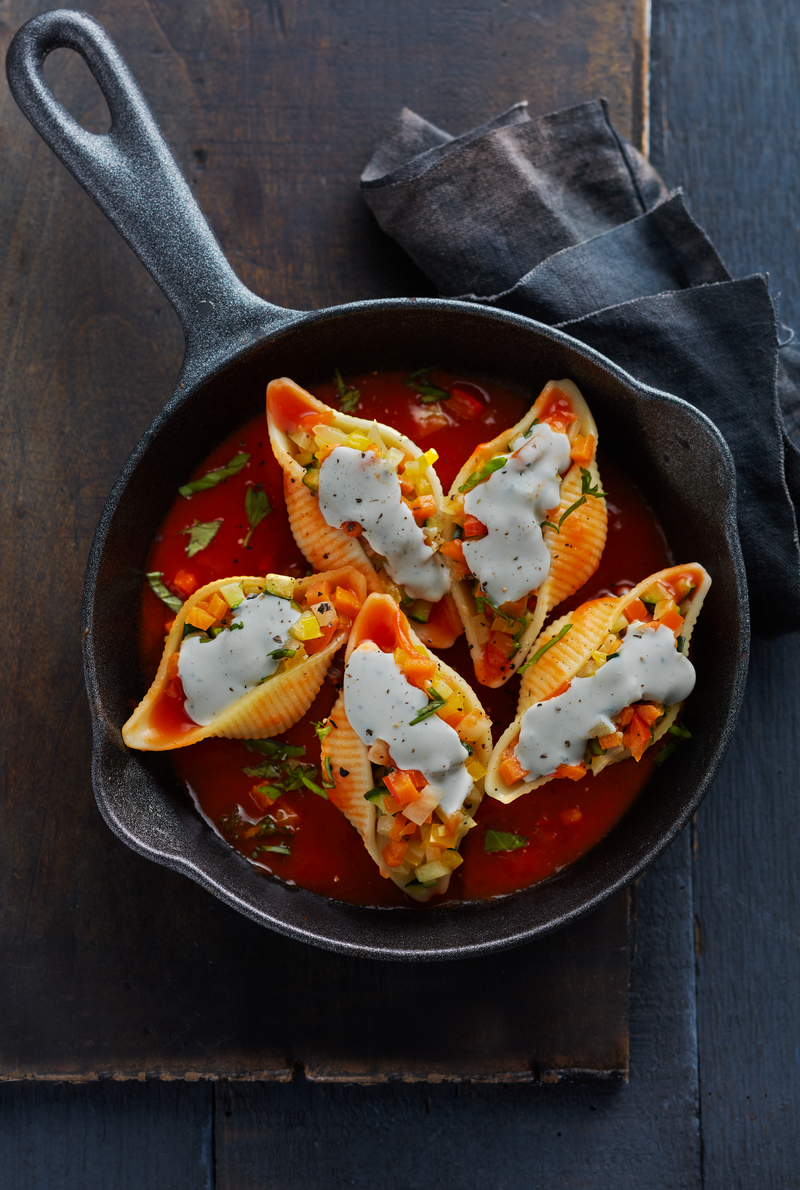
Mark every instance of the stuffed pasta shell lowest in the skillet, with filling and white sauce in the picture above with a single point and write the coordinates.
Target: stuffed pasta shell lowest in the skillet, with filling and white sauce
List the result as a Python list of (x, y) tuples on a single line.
[(407, 751)]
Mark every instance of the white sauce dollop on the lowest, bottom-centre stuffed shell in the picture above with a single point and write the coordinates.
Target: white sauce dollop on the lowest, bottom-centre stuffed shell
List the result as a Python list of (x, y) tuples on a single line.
[(380, 704)]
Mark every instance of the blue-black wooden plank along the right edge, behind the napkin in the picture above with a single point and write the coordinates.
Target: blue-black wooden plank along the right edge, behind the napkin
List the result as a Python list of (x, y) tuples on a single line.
[(729, 111)]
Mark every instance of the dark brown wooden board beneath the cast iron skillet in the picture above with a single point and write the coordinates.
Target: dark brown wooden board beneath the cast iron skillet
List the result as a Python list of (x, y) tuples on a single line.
[(115, 967)]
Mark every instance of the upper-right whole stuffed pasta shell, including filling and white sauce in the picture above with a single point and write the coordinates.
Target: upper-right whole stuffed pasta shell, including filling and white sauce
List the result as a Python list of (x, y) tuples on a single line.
[(527, 523)]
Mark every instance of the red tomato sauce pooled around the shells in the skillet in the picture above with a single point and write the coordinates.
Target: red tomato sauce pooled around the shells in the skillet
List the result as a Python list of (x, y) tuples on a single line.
[(561, 822)]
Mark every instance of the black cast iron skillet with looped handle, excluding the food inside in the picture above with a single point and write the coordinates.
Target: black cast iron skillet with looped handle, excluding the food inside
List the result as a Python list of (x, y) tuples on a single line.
[(235, 343)]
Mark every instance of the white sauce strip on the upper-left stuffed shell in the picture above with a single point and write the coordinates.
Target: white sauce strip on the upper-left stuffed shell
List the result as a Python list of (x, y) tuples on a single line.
[(361, 487)]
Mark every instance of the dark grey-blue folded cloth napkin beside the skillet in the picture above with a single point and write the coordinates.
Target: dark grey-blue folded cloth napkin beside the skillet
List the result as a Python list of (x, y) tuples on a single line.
[(561, 220)]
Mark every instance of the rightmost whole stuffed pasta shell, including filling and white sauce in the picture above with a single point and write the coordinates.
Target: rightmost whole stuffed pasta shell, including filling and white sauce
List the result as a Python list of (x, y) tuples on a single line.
[(604, 685)]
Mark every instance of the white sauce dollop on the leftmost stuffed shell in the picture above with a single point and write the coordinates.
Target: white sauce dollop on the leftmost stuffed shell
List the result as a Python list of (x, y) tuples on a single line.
[(217, 673)]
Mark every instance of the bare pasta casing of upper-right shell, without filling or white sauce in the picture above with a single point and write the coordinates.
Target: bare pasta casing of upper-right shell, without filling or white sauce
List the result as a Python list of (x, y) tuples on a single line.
[(576, 552)]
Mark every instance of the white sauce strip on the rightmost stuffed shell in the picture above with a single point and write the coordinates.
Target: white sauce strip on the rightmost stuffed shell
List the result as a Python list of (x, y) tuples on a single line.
[(648, 666)]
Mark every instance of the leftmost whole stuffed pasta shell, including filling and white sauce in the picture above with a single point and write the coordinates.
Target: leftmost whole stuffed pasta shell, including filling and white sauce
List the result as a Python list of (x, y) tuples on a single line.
[(246, 659)]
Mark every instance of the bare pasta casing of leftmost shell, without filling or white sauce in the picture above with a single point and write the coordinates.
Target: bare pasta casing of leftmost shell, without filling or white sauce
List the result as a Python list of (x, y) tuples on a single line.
[(270, 709)]
